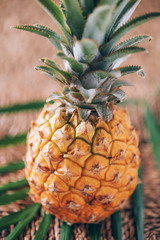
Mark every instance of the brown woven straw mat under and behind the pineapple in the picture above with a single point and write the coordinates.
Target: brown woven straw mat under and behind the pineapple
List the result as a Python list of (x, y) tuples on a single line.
[(20, 83)]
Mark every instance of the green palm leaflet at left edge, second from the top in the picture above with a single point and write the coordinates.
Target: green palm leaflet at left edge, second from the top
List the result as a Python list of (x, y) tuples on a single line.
[(13, 140)]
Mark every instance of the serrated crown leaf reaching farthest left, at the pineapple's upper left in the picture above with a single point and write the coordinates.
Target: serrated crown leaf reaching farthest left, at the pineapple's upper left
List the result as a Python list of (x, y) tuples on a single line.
[(52, 36)]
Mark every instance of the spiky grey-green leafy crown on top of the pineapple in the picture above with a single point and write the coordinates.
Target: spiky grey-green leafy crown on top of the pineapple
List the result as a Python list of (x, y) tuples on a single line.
[(89, 45)]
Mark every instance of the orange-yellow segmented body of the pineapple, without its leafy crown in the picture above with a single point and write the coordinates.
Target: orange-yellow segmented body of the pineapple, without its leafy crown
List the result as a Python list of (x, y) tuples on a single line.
[(81, 171)]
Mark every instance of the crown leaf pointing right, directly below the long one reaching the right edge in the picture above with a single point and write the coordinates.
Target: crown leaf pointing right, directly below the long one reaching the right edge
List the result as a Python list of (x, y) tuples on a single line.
[(132, 42)]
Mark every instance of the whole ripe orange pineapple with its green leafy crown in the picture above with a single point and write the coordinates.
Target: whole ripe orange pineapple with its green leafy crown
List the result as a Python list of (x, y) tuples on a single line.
[(82, 151)]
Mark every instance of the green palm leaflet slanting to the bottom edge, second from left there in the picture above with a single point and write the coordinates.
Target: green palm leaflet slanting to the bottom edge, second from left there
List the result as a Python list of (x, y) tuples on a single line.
[(43, 227)]
